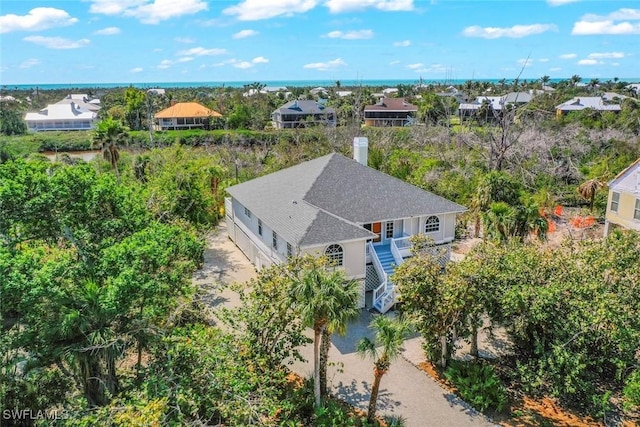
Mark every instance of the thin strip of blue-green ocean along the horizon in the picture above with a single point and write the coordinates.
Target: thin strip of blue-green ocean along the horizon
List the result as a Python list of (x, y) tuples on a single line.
[(273, 83)]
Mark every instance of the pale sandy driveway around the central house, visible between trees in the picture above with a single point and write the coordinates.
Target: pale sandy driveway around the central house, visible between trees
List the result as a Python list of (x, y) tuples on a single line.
[(405, 390)]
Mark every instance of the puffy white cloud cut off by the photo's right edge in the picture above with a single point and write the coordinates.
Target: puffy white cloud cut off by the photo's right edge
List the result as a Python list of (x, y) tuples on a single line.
[(615, 23)]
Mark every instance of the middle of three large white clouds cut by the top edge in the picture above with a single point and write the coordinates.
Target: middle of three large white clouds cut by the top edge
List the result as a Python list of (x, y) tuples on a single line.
[(254, 10)]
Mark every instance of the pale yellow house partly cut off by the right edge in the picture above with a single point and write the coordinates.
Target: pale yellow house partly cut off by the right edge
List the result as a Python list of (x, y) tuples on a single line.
[(623, 204)]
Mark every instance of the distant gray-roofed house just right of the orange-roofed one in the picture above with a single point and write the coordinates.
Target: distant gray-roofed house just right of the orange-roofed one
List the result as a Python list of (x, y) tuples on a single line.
[(303, 113)]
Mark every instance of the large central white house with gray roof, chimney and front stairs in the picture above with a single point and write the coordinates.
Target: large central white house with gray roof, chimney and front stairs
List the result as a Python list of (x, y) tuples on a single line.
[(358, 217)]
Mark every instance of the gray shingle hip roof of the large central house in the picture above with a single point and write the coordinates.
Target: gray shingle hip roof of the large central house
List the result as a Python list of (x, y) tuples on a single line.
[(325, 200)]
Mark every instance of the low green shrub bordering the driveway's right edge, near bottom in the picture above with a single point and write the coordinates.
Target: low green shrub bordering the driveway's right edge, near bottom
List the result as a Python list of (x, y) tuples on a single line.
[(478, 384)]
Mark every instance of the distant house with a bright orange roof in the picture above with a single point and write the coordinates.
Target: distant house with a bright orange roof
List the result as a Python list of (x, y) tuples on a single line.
[(185, 115)]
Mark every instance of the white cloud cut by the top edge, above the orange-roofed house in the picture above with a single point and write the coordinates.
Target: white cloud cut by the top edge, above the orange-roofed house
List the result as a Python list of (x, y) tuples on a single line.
[(148, 11)]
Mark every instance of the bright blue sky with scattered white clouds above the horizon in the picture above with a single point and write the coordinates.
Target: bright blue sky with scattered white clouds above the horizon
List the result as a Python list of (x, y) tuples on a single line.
[(123, 41)]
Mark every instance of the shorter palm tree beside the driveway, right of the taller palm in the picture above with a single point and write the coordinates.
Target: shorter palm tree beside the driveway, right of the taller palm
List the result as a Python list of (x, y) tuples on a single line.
[(389, 337)]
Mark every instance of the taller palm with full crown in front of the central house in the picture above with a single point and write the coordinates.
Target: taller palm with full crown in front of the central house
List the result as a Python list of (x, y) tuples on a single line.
[(322, 295)]
